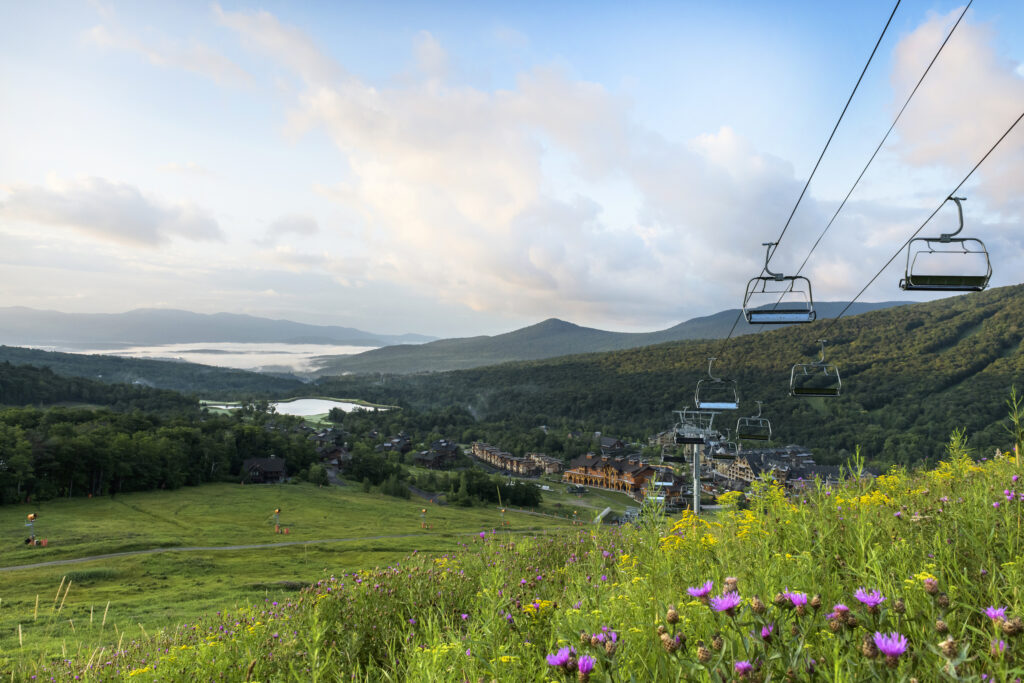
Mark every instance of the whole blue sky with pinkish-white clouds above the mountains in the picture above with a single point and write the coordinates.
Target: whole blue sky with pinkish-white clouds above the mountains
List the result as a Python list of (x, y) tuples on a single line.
[(464, 168)]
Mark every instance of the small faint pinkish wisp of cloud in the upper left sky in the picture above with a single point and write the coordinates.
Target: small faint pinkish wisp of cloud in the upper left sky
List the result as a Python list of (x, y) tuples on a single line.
[(196, 58)]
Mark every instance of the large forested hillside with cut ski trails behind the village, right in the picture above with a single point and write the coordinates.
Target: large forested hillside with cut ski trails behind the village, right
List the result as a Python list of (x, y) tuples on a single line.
[(911, 376)]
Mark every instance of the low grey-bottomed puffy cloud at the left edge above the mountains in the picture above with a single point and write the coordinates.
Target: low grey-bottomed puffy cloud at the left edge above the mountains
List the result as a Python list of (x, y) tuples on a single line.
[(112, 211)]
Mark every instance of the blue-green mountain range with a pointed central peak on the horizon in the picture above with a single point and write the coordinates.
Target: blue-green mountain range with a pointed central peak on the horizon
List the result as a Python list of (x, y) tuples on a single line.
[(550, 339)]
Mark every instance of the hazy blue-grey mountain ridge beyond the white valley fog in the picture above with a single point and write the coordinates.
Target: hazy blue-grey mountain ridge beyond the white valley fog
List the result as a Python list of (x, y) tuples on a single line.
[(148, 327)]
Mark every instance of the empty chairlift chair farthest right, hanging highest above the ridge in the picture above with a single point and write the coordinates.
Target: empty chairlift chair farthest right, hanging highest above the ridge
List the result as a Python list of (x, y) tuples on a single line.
[(948, 264)]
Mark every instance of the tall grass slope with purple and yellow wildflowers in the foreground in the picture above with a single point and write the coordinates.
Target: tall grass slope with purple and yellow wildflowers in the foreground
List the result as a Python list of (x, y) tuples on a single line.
[(909, 576)]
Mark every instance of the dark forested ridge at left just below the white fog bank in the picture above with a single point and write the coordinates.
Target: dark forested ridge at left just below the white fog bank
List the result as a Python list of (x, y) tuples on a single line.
[(184, 377)]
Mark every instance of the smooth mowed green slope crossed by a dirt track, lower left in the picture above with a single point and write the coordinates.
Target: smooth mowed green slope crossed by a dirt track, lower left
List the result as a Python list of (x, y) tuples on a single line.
[(151, 591)]
